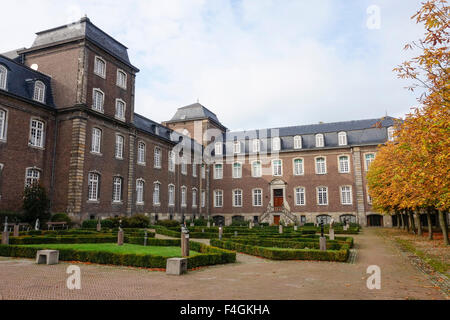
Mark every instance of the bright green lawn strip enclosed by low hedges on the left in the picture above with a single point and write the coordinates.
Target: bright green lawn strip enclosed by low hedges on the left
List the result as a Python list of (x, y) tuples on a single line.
[(112, 247)]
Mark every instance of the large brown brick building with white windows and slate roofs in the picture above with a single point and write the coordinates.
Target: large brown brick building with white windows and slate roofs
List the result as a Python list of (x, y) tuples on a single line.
[(67, 119)]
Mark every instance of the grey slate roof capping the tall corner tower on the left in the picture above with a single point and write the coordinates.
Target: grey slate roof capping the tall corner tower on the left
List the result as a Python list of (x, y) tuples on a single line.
[(82, 29)]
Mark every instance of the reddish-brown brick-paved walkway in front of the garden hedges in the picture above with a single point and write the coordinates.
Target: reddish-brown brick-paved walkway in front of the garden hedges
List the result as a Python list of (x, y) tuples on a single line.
[(249, 278)]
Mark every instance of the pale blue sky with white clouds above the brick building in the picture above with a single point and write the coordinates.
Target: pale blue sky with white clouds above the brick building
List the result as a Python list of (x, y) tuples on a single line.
[(255, 63)]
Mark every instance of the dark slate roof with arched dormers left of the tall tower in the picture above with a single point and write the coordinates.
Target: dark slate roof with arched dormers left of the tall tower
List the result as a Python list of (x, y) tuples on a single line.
[(21, 80)]
